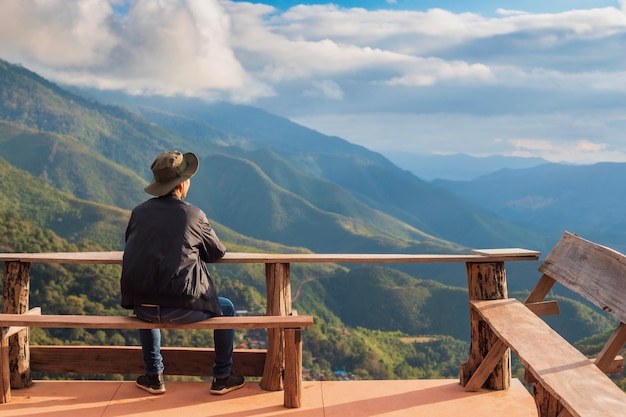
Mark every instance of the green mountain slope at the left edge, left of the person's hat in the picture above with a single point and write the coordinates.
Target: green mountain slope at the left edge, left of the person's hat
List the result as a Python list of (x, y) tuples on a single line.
[(91, 150)]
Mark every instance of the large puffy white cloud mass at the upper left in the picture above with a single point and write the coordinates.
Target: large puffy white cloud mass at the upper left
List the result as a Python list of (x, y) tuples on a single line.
[(167, 47)]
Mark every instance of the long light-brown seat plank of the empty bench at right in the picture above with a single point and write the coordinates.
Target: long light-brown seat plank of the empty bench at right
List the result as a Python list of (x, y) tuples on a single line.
[(560, 368)]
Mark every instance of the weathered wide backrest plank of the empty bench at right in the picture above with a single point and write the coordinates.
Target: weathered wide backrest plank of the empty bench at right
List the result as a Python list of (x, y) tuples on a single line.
[(595, 272)]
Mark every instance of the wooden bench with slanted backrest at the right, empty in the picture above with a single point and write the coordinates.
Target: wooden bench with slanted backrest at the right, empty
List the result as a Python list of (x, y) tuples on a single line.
[(565, 382)]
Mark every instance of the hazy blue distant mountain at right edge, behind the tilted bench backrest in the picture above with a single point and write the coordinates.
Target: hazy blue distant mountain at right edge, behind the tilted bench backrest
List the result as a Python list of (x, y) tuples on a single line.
[(583, 199)]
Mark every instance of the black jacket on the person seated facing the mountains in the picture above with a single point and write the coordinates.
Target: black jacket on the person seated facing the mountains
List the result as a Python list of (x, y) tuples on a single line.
[(168, 242)]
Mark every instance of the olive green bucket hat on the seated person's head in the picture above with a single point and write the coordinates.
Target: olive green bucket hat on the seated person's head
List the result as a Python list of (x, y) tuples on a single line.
[(170, 169)]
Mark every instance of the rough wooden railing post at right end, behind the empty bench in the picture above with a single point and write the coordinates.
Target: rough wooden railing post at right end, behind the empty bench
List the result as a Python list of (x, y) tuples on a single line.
[(485, 281)]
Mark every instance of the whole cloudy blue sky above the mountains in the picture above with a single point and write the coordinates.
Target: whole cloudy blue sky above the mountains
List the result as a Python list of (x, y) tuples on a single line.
[(533, 78)]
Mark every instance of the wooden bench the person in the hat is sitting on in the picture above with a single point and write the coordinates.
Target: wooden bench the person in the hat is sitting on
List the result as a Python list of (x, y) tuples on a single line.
[(11, 324)]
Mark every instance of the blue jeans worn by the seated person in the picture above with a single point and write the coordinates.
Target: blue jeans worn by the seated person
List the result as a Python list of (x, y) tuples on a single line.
[(151, 338)]
